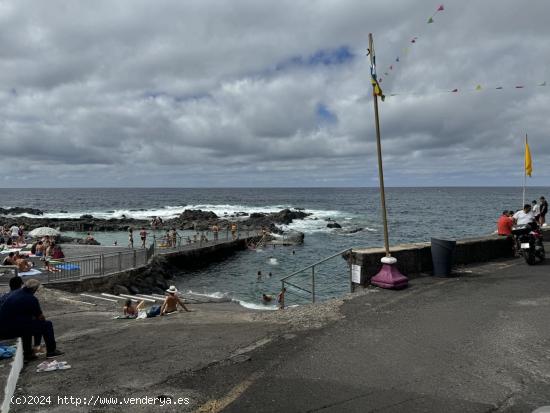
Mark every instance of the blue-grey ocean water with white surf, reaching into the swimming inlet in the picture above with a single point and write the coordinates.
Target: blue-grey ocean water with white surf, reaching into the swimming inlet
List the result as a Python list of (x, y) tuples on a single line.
[(414, 214)]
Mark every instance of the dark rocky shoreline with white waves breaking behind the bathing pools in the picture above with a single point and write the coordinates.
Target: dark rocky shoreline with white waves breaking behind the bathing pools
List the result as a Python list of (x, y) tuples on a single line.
[(188, 220)]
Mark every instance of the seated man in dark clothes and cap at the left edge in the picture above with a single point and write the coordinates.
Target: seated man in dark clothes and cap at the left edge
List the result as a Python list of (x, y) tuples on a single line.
[(21, 316)]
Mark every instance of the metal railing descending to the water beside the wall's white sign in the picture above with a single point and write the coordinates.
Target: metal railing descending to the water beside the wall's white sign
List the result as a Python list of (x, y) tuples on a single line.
[(304, 285)]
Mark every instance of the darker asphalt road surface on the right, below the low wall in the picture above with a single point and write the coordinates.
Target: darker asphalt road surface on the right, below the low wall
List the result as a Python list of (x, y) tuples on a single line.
[(476, 343)]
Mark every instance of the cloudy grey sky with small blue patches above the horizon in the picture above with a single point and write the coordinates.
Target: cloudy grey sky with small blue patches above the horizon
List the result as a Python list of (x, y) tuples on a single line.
[(204, 93)]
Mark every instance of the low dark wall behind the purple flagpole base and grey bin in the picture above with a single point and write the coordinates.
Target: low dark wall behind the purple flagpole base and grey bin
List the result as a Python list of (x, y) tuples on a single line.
[(416, 259)]
